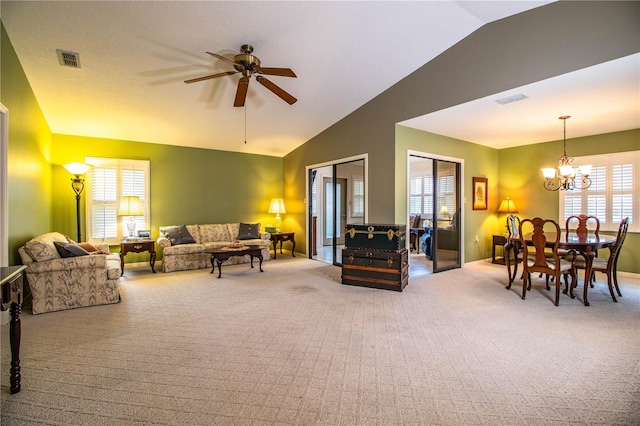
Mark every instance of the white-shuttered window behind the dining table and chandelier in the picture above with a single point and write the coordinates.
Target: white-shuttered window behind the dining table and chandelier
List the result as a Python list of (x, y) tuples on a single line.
[(614, 192)]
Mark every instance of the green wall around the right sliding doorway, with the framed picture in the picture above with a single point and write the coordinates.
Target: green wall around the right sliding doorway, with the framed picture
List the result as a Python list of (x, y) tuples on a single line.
[(479, 161)]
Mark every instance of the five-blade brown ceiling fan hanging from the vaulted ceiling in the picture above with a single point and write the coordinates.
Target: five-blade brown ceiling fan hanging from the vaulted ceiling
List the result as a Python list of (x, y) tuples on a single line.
[(248, 65)]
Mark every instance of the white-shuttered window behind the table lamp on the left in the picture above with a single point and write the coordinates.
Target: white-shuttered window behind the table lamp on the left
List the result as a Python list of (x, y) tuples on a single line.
[(110, 179)]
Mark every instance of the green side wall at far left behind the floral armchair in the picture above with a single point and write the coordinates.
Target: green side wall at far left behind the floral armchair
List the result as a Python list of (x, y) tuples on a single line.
[(29, 152)]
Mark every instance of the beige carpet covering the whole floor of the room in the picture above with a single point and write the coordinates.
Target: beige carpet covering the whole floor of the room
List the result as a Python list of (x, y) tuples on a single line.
[(294, 346)]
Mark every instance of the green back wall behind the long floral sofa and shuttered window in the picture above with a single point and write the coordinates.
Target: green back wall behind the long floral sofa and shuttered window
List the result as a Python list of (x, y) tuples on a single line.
[(188, 185)]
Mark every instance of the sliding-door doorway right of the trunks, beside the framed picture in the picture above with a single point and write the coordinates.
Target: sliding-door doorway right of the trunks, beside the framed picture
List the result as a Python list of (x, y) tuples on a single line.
[(434, 188)]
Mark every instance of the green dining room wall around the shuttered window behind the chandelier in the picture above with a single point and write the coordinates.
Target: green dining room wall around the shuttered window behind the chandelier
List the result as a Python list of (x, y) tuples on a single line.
[(520, 179)]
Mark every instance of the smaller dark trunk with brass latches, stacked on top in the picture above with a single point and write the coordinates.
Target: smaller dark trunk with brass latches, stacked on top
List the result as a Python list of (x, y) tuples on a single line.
[(377, 237)]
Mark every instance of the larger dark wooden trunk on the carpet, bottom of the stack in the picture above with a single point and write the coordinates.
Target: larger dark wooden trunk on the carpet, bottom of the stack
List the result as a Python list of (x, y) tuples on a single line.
[(375, 268)]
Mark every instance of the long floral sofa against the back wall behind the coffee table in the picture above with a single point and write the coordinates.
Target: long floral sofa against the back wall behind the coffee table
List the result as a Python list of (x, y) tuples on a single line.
[(183, 247)]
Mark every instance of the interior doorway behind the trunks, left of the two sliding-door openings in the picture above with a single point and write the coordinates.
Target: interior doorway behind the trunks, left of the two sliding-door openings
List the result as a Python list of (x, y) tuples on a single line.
[(337, 196)]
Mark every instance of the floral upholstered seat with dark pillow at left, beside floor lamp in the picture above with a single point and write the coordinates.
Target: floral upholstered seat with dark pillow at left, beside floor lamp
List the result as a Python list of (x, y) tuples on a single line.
[(65, 275)]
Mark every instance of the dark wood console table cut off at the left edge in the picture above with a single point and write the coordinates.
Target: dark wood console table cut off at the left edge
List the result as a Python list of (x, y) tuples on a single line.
[(12, 278)]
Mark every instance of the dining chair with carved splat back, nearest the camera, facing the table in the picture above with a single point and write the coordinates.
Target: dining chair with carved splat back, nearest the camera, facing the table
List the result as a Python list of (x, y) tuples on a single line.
[(540, 239)]
